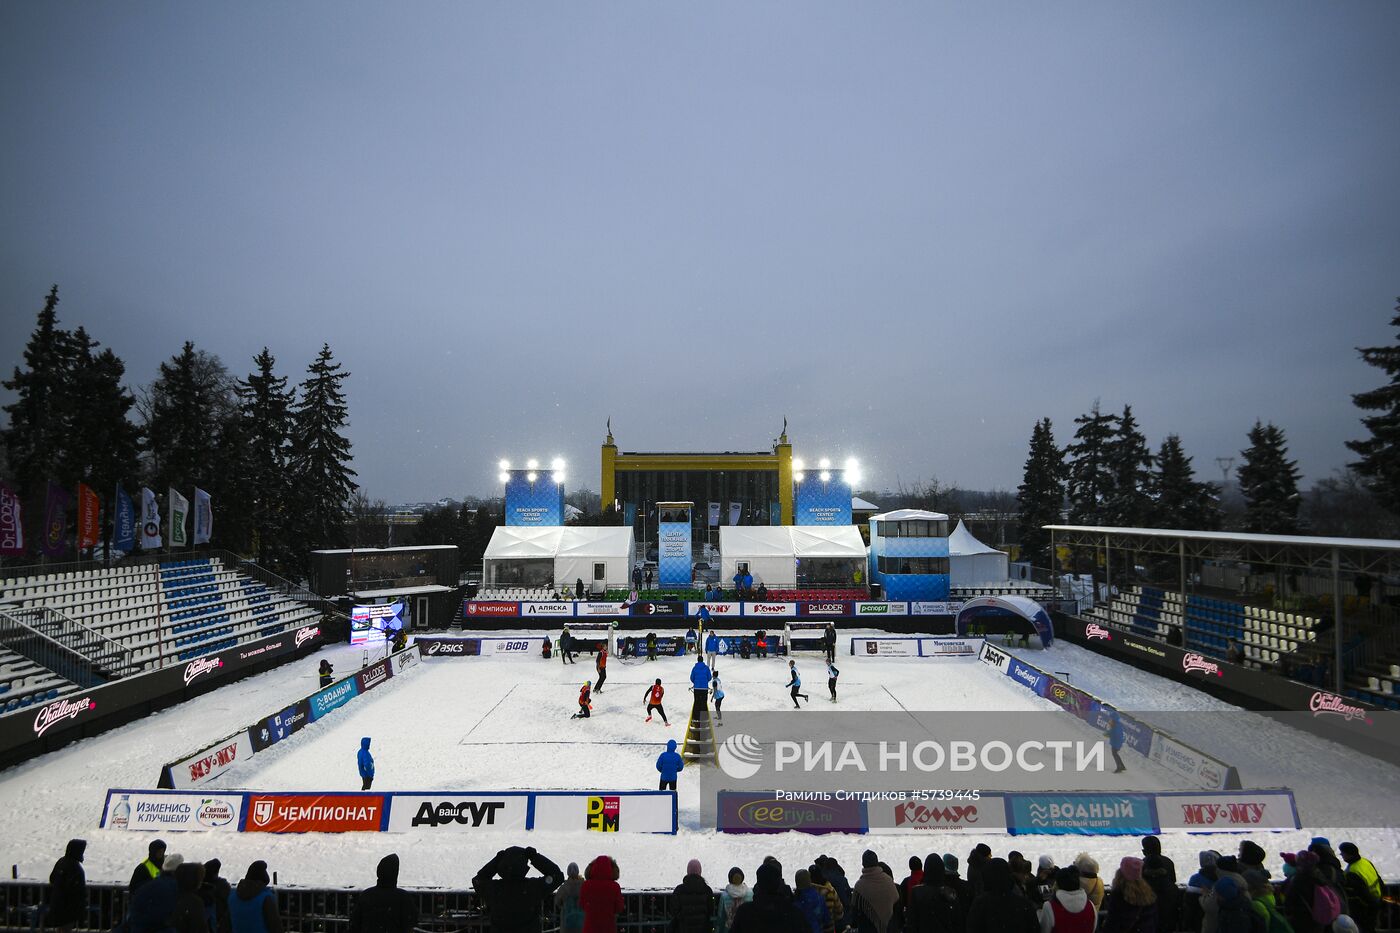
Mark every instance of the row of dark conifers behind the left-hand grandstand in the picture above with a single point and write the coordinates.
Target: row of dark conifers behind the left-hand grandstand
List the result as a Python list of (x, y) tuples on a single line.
[(274, 459)]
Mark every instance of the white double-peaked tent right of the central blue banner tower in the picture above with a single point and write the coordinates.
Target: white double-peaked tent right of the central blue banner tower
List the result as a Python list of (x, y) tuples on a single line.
[(778, 555)]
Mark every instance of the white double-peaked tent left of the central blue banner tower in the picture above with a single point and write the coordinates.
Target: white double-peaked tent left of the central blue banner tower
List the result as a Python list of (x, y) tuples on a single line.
[(559, 555)]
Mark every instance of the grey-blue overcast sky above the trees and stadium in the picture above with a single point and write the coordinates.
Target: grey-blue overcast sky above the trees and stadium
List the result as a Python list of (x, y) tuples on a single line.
[(912, 229)]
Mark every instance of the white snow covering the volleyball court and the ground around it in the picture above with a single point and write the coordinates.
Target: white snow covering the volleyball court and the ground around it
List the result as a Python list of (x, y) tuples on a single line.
[(503, 724)]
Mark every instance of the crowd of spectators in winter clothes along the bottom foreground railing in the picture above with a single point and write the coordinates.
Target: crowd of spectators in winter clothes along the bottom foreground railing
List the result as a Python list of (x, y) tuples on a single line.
[(520, 889)]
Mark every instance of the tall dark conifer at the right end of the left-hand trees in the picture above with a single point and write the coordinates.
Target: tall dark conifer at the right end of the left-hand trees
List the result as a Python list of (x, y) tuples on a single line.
[(320, 466)]
